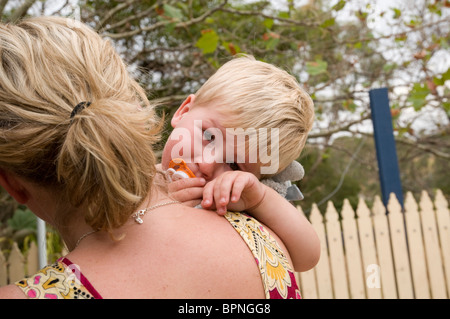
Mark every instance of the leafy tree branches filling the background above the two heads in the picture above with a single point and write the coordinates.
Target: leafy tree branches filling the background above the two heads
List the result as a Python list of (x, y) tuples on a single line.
[(337, 50)]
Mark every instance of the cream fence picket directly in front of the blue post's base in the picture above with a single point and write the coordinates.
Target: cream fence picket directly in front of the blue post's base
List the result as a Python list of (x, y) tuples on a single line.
[(400, 249)]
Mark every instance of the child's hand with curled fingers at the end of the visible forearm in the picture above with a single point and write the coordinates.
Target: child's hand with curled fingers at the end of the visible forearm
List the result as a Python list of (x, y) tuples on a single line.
[(233, 190)]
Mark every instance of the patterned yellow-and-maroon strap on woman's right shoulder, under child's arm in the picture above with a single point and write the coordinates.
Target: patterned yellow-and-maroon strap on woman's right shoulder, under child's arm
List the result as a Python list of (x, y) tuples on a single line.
[(277, 275)]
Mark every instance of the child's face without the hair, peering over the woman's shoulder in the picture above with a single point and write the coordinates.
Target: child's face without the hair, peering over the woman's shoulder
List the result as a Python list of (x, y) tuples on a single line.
[(203, 143)]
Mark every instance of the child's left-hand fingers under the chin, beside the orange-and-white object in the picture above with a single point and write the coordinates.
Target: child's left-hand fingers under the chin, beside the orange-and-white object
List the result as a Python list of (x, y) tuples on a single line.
[(188, 191)]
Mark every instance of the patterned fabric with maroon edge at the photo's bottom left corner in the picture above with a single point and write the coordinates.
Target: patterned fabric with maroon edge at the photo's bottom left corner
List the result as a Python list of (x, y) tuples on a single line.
[(61, 280)]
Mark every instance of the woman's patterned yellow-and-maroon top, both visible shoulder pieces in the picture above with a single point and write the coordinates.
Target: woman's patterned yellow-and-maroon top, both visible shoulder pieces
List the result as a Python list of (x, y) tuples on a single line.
[(63, 279)]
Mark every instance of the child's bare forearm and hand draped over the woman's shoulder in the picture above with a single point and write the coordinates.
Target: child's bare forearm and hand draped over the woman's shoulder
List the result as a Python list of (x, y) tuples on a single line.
[(241, 191)]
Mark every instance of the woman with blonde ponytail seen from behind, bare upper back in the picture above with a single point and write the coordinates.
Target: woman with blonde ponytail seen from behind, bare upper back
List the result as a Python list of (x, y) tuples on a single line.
[(76, 135)]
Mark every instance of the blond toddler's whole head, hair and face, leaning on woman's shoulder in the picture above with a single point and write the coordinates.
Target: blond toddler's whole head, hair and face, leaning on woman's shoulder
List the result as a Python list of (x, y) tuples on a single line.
[(252, 99)]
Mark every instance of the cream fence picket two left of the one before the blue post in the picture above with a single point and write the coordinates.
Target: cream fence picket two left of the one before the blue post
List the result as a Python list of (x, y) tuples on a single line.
[(368, 249)]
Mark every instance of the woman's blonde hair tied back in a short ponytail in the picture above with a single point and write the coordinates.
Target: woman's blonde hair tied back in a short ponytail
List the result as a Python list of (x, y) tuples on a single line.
[(102, 157)]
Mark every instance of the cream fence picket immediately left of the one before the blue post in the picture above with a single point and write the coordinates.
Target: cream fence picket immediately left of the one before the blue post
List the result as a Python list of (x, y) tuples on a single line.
[(384, 251)]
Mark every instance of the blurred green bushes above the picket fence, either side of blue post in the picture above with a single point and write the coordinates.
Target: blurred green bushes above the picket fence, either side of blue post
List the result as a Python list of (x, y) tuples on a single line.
[(419, 171)]
